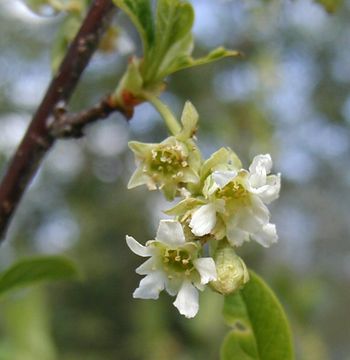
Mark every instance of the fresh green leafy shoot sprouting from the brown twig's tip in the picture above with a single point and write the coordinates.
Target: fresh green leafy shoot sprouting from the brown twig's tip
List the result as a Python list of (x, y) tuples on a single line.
[(167, 40)]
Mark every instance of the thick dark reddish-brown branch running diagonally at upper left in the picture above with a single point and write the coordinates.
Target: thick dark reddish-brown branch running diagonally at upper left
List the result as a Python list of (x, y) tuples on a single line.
[(38, 138)]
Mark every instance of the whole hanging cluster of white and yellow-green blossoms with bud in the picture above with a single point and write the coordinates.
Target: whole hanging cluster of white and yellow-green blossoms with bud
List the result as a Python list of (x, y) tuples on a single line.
[(221, 204)]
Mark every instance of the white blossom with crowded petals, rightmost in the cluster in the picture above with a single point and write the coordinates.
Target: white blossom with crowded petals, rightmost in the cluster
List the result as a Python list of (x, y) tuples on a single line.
[(233, 201)]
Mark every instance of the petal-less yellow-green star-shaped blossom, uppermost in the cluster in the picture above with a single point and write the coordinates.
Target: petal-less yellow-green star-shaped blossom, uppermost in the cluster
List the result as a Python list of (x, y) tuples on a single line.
[(171, 164)]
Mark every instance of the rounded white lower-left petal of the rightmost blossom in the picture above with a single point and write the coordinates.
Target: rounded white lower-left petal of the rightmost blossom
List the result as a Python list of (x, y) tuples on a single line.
[(203, 220)]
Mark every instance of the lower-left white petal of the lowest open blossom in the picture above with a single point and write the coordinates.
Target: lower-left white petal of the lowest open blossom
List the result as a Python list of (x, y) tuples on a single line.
[(150, 286)]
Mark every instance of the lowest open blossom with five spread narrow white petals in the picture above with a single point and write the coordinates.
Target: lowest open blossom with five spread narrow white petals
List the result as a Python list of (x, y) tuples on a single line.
[(174, 265)]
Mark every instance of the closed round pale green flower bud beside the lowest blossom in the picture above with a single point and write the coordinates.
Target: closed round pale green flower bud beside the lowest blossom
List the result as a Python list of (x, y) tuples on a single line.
[(231, 270)]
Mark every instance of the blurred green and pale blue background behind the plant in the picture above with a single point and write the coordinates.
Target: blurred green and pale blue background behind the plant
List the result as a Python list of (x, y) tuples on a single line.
[(289, 96)]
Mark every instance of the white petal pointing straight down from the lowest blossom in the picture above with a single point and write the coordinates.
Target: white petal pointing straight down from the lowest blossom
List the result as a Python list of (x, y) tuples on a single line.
[(187, 300)]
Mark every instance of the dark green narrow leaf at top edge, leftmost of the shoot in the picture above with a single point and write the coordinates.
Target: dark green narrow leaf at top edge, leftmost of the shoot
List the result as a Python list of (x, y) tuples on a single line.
[(140, 13)]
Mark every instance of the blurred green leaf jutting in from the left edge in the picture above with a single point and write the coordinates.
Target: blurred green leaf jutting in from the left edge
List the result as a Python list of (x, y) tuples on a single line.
[(33, 270)]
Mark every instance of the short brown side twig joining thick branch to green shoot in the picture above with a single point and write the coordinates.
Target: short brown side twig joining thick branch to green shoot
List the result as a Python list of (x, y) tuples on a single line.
[(67, 125)]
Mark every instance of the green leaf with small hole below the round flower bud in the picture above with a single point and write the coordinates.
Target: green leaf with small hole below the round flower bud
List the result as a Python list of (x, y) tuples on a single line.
[(260, 330)]
